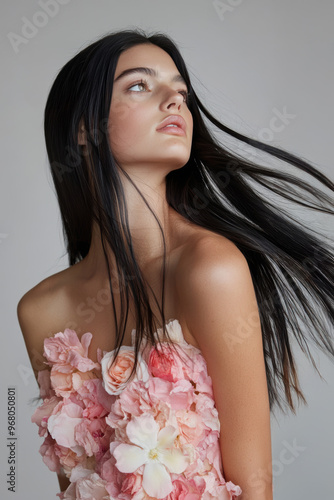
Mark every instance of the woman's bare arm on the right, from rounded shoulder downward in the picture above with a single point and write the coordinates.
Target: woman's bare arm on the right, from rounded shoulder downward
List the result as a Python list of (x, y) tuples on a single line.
[(221, 312)]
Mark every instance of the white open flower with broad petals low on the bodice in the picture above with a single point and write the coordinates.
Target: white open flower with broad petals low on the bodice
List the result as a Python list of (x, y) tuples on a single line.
[(153, 448)]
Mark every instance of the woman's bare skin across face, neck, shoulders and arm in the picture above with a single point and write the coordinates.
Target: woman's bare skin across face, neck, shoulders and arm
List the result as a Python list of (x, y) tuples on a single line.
[(208, 283)]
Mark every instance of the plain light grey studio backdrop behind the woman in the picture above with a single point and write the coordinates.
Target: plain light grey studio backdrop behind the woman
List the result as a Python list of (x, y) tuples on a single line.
[(264, 68)]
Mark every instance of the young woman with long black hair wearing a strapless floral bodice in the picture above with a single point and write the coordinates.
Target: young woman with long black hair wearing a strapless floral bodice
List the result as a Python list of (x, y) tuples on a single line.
[(189, 281)]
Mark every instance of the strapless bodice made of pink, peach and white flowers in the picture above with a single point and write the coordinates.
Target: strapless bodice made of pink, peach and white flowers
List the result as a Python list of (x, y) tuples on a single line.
[(154, 437)]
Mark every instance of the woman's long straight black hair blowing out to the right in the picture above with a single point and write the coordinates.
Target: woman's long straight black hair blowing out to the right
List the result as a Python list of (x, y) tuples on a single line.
[(218, 189)]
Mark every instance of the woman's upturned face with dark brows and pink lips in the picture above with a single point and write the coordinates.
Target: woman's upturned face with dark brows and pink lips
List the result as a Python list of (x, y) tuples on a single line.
[(140, 102)]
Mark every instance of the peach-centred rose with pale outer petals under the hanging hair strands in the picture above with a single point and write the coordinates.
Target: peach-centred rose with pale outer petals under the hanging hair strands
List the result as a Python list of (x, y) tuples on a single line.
[(115, 377)]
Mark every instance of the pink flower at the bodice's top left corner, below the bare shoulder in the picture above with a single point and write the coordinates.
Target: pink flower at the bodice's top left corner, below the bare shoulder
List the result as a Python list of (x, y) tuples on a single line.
[(67, 353)]
